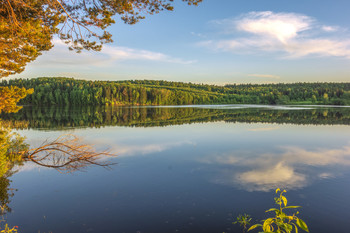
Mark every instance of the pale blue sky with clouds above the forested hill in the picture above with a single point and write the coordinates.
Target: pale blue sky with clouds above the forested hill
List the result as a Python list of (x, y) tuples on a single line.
[(218, 42)]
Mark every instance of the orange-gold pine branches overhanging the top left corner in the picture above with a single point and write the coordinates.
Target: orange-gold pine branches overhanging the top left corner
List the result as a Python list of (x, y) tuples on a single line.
[(28, 26)]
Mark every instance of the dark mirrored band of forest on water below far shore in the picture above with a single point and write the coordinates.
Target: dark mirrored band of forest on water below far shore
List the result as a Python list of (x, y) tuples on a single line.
[(61, 118)]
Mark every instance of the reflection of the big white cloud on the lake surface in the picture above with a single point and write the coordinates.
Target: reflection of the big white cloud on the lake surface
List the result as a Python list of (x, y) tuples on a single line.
[(291, 168)]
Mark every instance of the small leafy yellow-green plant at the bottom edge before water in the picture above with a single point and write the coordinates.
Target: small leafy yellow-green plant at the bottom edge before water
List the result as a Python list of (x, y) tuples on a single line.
[(282, 223)]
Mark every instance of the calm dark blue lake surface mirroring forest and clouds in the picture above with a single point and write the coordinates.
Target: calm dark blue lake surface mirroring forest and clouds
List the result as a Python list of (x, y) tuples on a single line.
[(187, 169)]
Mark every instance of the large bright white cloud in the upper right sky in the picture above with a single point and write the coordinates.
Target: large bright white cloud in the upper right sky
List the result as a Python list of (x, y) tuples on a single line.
[(291, 35)]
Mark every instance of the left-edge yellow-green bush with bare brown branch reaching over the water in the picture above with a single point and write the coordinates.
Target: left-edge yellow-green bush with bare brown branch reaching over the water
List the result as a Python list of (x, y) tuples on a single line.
[(65, 154)]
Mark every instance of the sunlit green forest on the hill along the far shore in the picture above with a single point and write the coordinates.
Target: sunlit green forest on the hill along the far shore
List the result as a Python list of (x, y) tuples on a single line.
[(69, 91)]
